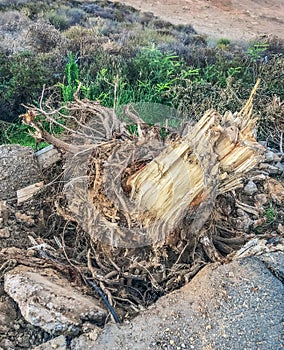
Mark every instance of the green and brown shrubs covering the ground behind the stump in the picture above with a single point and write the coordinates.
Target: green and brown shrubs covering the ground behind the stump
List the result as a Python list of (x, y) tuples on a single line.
[(122, 56)]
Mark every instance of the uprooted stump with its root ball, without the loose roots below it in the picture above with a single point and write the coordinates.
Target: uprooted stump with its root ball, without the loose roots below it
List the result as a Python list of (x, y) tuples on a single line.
[(133, 189)]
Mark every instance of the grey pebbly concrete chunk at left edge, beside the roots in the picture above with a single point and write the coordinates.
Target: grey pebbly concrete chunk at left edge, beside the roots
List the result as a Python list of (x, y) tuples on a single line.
[(18, 169)]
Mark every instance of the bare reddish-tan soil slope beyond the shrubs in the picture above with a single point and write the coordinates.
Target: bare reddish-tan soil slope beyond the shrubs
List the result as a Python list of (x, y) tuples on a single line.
[(231, 19)]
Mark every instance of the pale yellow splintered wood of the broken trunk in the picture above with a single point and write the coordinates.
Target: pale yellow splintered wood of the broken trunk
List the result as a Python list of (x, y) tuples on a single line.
[(216, 146)]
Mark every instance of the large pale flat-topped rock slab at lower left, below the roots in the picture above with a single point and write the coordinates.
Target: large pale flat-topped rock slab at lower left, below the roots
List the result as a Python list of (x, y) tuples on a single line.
[(48, 301)]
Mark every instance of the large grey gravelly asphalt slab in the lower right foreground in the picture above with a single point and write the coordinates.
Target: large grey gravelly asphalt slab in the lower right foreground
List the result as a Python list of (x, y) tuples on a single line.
[(244, 311)]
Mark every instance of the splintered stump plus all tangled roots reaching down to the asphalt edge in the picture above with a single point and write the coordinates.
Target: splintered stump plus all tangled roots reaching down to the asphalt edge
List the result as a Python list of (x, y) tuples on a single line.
[(152, 206)]
